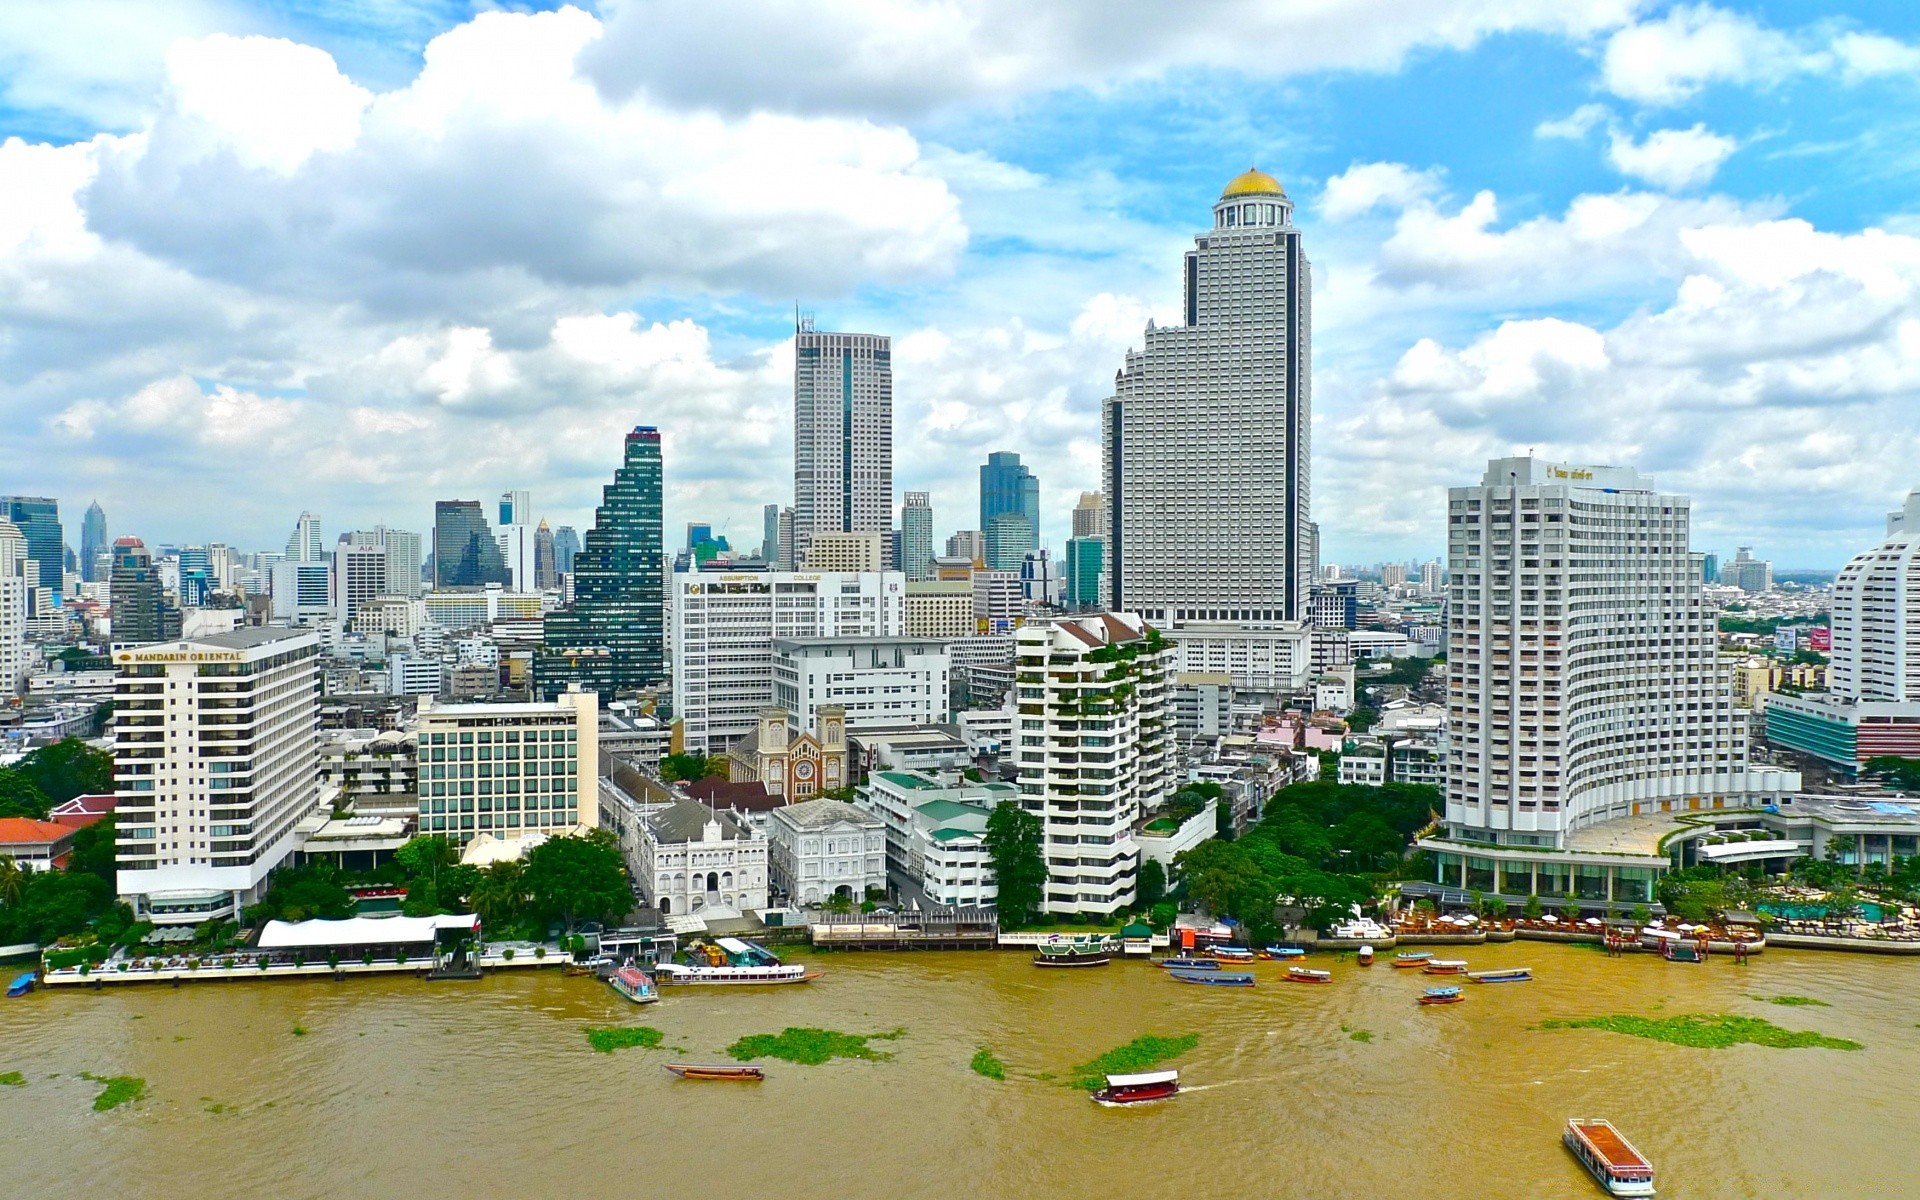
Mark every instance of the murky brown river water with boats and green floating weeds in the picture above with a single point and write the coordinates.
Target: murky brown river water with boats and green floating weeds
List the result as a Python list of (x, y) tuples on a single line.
[(489, 1090)]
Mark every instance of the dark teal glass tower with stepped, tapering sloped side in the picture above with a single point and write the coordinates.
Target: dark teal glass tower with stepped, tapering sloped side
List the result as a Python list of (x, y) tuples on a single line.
[(613, 636)]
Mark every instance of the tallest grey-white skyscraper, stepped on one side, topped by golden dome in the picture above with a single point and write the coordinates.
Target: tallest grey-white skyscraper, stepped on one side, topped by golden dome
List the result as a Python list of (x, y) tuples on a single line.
[(1205, 441)]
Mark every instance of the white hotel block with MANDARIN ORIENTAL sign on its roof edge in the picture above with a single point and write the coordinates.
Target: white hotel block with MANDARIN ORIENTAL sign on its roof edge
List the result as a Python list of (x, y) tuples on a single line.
[(216, 765)]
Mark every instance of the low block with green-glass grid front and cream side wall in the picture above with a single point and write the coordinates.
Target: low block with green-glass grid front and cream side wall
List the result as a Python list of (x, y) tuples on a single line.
[(510, 769)]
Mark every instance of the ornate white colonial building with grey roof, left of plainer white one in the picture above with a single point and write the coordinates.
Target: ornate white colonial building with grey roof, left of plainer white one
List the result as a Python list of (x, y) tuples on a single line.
[(702, 863)]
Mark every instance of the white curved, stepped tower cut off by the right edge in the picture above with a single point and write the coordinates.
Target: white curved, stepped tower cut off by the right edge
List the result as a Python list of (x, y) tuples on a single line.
[(1877, 617)]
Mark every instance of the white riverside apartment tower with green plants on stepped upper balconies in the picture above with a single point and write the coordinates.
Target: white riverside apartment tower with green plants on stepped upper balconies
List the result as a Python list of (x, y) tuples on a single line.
[(1120, 761)]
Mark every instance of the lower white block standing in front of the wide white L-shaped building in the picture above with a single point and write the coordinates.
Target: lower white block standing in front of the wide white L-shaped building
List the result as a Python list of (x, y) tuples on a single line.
[(882, 683)]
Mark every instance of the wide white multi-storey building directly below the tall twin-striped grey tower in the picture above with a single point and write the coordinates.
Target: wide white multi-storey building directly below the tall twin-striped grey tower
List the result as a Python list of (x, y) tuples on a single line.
[(725, 627)]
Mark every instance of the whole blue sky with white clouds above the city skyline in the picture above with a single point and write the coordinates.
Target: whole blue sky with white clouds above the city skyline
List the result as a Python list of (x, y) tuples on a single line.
[(356, 258)]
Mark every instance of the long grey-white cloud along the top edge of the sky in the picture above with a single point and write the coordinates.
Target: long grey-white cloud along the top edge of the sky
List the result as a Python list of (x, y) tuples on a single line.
[(911, 57)]
